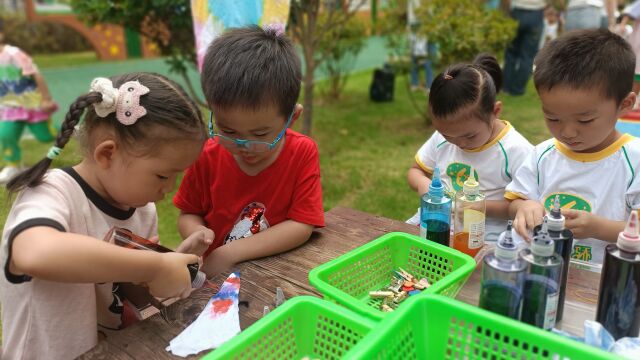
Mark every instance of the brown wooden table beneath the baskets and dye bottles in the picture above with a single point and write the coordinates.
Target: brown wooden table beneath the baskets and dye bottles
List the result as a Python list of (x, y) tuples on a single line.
[(346, 229)]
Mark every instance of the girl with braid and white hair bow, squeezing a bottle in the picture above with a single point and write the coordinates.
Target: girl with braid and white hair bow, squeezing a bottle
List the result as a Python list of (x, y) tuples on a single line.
[(139, 132)]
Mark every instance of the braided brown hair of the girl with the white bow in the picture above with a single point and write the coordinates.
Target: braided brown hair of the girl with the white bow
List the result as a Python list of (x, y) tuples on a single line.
[(171, 115)]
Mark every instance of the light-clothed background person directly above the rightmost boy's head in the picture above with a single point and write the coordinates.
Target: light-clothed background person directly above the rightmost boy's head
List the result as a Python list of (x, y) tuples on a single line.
[(590, 14)]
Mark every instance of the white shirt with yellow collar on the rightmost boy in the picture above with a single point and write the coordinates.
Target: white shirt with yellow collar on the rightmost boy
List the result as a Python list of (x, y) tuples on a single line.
[(603, 183)]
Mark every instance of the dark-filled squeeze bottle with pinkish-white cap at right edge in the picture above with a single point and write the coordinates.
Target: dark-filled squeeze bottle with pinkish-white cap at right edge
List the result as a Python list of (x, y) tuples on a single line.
[(619, 299)]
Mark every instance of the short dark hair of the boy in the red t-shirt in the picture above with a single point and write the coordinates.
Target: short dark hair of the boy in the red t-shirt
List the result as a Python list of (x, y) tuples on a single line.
[(252, 67)]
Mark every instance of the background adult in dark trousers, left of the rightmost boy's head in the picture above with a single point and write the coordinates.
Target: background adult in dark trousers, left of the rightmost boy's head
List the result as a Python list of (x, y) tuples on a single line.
[(518, 59)]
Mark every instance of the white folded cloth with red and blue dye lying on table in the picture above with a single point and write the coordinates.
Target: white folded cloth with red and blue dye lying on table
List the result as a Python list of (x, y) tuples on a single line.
[(218, 322)]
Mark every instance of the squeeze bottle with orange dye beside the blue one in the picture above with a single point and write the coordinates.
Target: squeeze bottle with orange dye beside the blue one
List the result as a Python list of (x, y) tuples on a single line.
[(469, 218)]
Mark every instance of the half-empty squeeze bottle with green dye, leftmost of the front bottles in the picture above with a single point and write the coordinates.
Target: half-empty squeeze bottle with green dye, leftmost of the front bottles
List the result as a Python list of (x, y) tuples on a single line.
[(503, 274)]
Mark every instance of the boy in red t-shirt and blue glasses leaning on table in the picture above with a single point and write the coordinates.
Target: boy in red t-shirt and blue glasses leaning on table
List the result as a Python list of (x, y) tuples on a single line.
[(255, 190)]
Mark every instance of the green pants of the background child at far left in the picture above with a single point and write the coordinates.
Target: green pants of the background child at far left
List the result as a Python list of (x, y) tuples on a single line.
[(11, 132)]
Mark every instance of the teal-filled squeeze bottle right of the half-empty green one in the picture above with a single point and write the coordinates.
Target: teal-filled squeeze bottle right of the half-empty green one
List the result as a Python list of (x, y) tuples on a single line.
[(541, 286)]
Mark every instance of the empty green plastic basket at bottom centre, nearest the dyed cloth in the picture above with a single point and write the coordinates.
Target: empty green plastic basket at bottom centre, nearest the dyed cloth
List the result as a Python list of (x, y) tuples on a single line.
[(302, 326)]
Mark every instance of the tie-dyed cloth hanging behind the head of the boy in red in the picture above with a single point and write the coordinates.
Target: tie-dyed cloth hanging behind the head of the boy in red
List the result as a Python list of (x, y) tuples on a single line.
[(212, 17)]
